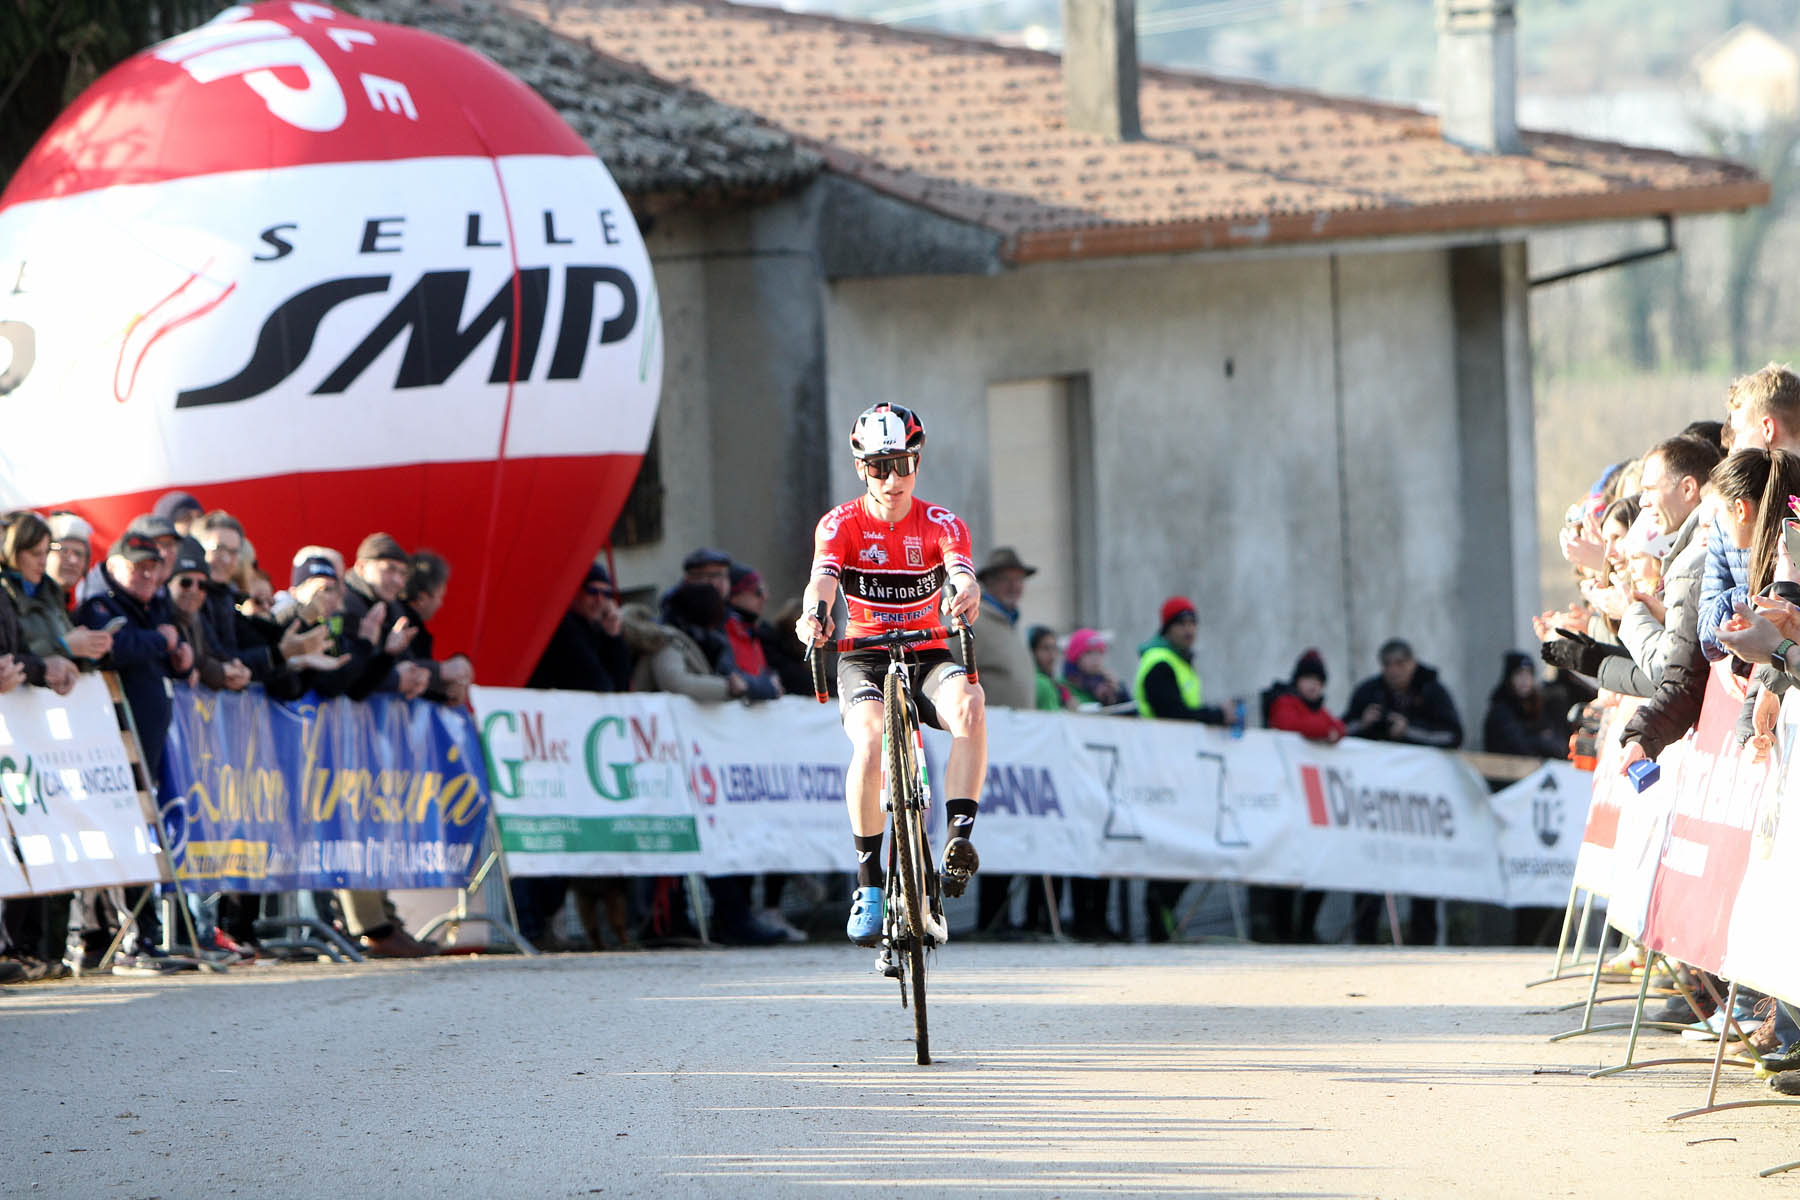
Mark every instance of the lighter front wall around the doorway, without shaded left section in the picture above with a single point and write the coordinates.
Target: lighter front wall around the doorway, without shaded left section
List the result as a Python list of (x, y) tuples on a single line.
[(1295, 474)]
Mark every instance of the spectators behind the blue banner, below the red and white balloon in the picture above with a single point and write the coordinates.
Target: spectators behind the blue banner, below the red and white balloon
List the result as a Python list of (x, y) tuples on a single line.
[(179, 596)]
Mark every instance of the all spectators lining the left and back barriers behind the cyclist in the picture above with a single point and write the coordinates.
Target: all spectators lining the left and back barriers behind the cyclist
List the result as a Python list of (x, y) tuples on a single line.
[(181, 595)]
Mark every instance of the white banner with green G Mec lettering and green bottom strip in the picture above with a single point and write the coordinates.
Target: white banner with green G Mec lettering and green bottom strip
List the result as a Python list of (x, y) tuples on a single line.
[(589, 784)]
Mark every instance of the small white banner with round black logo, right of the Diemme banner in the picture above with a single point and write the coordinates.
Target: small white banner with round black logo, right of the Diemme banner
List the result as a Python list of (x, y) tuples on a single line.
[(1542, 821)]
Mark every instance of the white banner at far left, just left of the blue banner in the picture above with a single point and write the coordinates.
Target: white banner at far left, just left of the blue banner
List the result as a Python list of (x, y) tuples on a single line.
[(69, 793)]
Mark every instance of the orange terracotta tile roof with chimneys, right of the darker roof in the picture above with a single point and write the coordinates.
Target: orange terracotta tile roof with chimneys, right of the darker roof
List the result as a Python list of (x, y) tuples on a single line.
[(976, 132)]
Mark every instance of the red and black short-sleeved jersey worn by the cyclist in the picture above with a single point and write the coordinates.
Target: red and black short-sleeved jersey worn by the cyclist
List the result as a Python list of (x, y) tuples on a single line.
[(892, 573)]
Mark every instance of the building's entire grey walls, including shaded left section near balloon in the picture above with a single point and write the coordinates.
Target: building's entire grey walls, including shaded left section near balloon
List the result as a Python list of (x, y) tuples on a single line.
[(1317, 451)]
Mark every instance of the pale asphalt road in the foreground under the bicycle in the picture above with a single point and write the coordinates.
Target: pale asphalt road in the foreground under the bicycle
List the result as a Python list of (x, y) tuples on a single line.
[(1065, 1071)]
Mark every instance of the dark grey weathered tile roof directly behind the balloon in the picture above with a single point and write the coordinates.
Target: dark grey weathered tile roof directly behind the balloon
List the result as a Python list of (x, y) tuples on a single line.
[(661, 141)]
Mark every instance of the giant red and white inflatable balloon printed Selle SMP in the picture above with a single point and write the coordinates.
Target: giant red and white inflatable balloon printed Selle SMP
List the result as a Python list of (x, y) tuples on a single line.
[(334, 276)]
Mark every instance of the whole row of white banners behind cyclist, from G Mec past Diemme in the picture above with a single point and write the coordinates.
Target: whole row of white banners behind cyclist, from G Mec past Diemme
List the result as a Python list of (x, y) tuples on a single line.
[(649, 785)]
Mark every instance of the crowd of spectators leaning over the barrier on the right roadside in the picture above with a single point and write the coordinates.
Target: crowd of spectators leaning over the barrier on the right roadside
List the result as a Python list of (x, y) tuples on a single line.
[(1687, 559)]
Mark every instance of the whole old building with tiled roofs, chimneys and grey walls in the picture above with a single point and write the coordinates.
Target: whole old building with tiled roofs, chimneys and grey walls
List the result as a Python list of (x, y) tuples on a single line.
[(1250, 345)]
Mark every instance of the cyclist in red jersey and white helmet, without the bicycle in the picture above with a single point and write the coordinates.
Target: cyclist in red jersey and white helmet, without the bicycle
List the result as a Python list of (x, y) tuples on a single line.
[(892, 555)]
